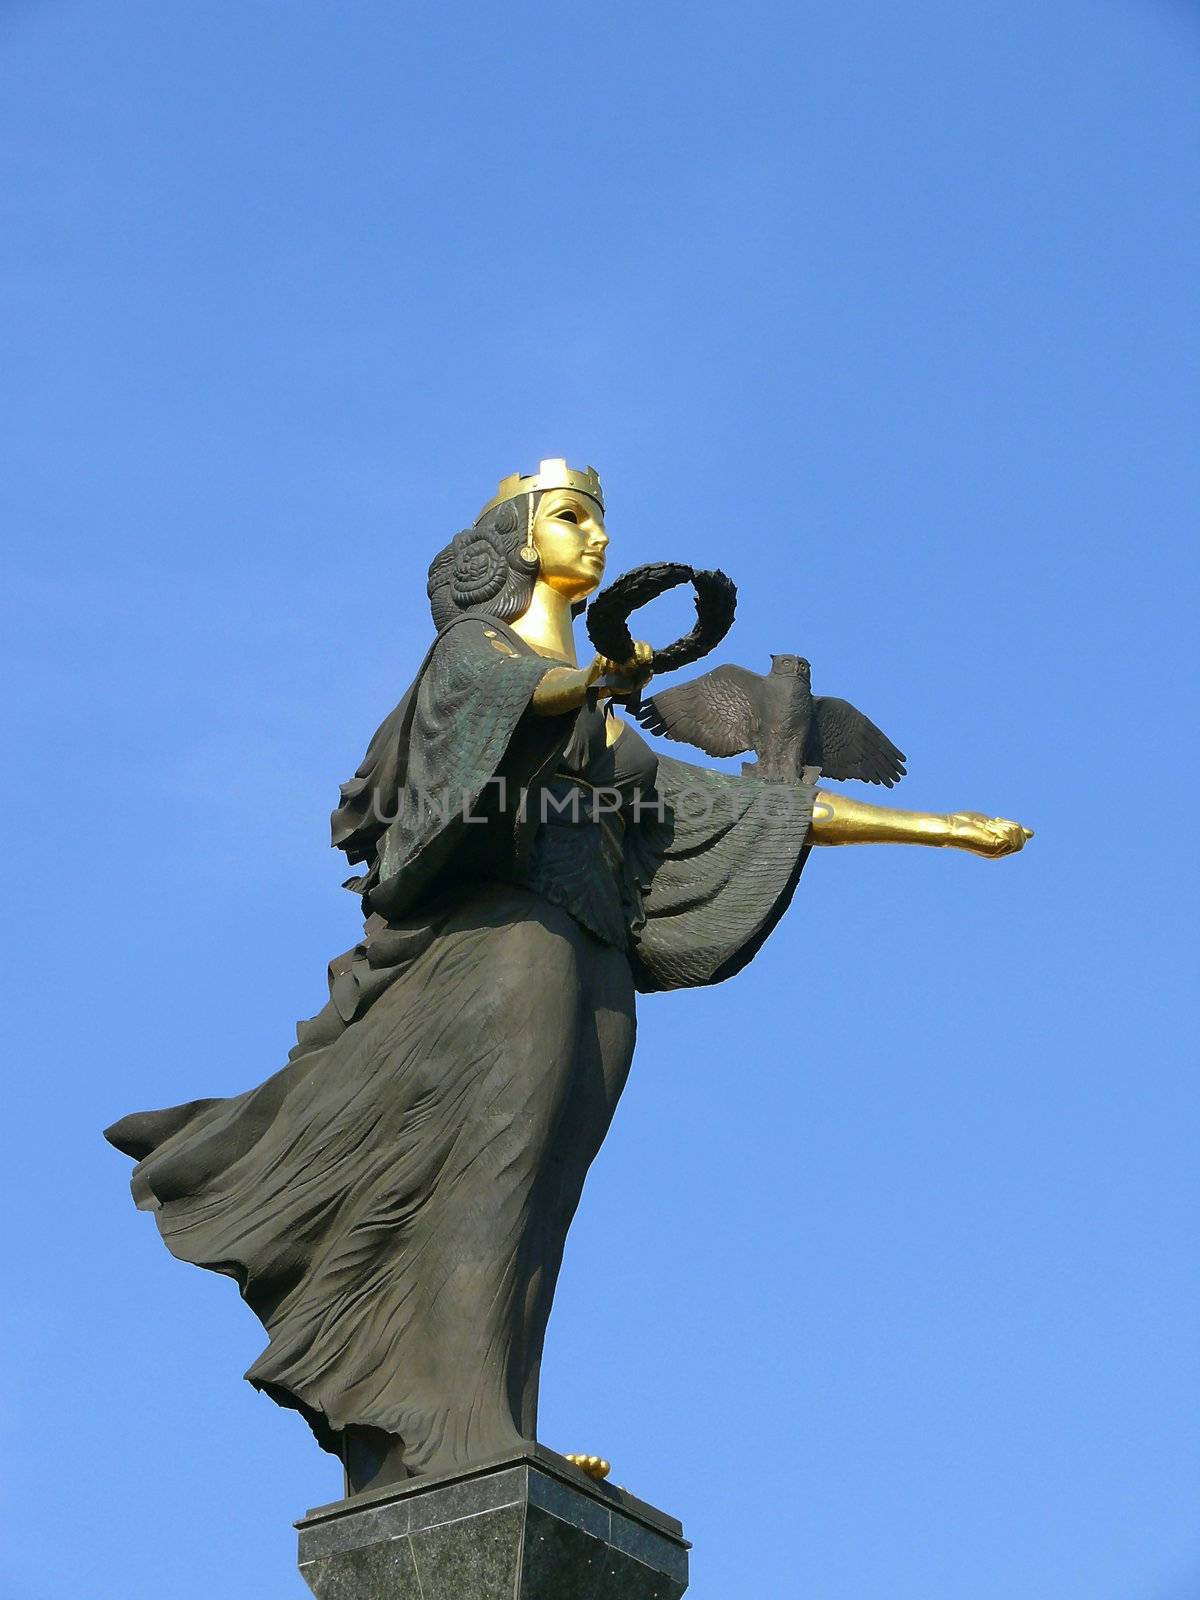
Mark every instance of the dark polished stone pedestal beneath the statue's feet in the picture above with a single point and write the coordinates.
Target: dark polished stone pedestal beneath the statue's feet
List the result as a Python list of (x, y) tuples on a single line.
[(530, 1527)]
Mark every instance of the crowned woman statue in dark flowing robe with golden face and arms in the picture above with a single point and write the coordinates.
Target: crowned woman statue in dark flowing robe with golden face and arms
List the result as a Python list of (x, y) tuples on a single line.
[(394, 1202)]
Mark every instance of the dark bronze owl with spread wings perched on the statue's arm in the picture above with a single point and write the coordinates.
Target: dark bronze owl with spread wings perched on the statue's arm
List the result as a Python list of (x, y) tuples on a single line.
[(732, 710)]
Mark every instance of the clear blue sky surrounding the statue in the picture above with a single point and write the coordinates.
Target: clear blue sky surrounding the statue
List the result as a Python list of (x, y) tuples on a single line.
[(886, 1281)]
